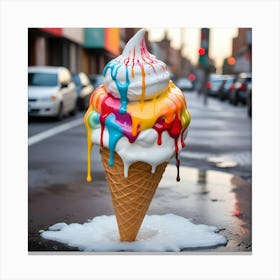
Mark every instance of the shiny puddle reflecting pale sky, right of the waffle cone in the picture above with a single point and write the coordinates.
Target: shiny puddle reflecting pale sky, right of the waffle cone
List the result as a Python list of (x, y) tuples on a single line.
[(207, 197)]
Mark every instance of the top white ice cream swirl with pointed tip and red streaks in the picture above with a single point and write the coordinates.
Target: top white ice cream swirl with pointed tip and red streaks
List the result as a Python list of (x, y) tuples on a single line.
[(145, 76)]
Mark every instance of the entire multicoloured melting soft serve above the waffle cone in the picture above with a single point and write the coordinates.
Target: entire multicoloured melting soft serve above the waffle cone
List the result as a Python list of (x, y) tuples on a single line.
[(138, 112)]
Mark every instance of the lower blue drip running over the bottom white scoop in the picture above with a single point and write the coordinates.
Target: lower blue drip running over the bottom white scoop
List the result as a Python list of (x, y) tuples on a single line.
[(115, 133)]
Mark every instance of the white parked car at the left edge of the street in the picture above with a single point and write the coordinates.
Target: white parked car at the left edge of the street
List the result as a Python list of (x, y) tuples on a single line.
[(51, 92)]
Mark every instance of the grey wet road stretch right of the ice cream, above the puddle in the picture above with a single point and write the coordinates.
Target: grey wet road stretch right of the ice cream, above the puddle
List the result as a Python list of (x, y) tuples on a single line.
[(220, 137)]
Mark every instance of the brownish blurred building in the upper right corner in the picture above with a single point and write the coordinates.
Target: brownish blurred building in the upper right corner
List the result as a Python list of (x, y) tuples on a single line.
[(242, 50)]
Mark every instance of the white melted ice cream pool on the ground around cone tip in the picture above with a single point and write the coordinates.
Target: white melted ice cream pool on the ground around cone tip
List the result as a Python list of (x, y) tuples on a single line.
[(158, 233)]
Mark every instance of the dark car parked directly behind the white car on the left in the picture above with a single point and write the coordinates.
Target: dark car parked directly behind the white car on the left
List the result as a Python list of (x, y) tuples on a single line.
[(84, 89)]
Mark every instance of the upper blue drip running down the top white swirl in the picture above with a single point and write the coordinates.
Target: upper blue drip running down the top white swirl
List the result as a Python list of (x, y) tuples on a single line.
[(122, 87)]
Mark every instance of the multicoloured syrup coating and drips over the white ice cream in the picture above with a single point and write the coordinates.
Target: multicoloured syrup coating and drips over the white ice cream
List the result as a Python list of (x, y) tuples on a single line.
[(165, 111)]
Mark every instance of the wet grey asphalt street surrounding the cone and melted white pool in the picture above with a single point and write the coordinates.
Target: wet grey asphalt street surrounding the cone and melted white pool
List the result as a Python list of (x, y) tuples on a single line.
[(215, 187)]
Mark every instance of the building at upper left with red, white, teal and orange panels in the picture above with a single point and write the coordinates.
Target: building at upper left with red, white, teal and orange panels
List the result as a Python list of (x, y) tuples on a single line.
[(79, 49)]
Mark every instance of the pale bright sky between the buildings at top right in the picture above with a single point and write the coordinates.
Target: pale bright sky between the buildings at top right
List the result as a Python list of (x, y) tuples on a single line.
[(220, 41)]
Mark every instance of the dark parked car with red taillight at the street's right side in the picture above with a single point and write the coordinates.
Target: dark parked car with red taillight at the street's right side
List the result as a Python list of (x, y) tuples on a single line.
[(238, 94)]
